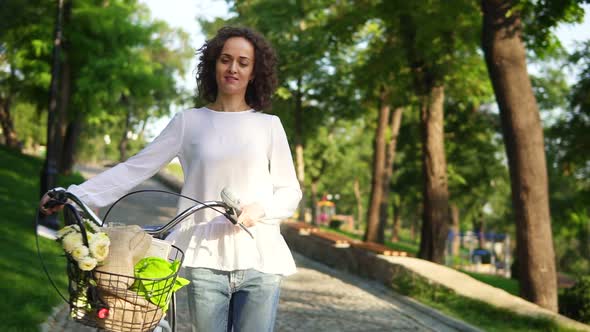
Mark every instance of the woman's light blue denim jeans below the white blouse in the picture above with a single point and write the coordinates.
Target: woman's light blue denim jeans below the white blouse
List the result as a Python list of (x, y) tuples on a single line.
[(245, 300)]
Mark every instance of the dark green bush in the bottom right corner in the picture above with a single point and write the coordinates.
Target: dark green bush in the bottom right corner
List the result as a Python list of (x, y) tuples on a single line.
[(574, 302)]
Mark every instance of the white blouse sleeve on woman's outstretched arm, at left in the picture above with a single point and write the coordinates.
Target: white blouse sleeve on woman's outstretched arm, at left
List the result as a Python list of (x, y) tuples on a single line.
[(110, 185)]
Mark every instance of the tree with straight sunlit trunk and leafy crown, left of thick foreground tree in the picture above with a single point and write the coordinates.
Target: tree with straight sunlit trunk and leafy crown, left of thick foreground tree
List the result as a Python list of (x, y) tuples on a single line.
[(434, 53)]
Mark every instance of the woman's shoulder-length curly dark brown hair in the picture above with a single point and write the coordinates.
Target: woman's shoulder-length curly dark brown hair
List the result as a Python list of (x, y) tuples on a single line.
[(261, 88)]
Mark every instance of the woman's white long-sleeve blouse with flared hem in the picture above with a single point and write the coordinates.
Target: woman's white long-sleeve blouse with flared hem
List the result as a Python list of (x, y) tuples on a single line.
[(245, 151)]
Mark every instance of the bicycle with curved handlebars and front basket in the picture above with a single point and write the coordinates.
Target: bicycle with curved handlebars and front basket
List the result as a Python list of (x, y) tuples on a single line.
[(102, 299)]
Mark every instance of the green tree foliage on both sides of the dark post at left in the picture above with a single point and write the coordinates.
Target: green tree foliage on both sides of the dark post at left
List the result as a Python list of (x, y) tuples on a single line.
[(122, 65)]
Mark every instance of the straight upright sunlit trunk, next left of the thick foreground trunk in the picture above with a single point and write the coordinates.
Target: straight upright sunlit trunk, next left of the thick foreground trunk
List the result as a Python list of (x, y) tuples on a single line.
[(435, 216)]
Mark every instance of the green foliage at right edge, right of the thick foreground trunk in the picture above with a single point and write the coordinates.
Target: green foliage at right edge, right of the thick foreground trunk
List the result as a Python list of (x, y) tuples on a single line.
[(568, 164)]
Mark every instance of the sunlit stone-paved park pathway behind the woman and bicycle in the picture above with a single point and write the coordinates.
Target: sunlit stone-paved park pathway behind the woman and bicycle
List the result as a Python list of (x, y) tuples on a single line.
[(316, 298)]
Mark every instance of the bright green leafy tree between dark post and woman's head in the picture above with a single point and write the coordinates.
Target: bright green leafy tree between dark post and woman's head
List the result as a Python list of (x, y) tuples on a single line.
[(124, 76)]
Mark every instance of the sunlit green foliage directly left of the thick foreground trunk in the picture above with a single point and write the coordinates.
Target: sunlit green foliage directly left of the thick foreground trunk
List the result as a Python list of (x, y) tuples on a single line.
[(483, 180)]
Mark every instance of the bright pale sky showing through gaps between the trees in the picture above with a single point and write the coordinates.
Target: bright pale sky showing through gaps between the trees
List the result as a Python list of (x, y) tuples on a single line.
[(184, 14)]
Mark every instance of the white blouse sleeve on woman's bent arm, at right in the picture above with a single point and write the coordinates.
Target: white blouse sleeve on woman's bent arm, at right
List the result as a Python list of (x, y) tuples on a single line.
[(286, 190)]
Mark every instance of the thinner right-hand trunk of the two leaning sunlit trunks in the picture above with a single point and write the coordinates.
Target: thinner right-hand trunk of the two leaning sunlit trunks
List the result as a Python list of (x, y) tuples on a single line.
[(394, 125)]
